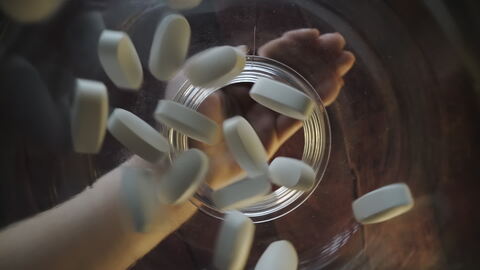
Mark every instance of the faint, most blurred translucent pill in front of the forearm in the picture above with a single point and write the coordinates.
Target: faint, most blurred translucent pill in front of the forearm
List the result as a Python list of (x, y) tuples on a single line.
[(138, 189)]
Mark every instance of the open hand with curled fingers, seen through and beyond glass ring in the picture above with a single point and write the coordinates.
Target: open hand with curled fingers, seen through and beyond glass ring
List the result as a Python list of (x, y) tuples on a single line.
[(324, 64)]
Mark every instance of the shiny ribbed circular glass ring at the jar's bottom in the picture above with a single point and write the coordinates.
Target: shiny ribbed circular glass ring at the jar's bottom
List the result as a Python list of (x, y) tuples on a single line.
[(317, 136)]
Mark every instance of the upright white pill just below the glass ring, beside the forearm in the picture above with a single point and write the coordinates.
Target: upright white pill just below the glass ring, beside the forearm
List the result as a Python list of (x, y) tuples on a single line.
[(233, 242)]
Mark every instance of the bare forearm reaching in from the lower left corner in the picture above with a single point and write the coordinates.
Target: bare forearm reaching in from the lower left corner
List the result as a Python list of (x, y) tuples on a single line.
[(91, 231)]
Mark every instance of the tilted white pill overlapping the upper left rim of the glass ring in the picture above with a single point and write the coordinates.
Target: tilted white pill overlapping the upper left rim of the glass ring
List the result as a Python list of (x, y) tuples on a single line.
[(215, 67)]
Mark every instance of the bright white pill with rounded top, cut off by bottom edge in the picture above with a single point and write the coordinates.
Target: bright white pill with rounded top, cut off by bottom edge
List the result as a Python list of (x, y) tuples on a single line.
[(279, 255)]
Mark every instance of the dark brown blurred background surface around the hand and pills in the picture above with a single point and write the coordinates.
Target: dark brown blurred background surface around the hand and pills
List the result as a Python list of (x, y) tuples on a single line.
[(409, 112)]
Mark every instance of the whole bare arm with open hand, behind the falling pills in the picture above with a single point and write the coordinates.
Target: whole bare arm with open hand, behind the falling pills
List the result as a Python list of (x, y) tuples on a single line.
[(94, 229)]
